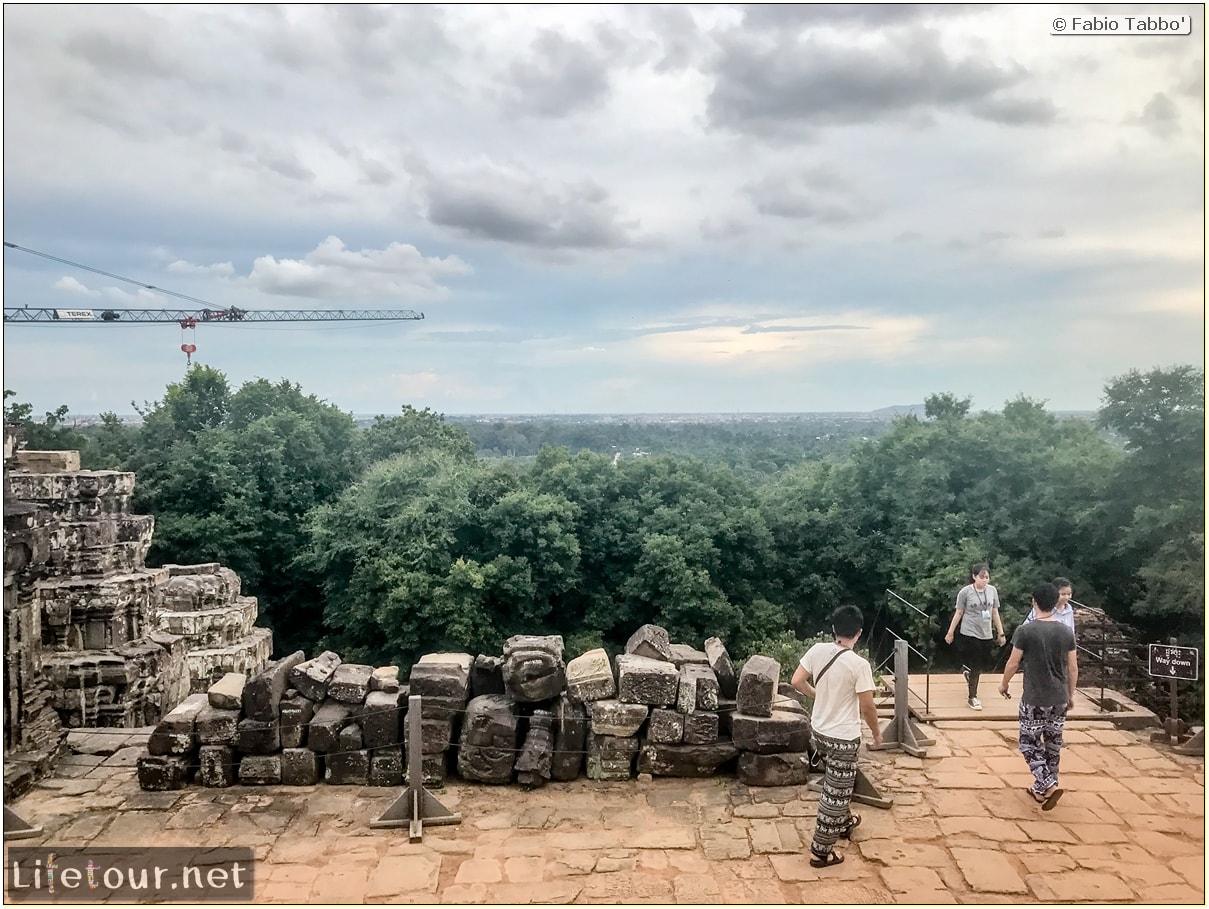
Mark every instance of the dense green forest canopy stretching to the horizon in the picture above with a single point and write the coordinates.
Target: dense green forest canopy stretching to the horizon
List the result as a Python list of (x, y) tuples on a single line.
[(396, 540)]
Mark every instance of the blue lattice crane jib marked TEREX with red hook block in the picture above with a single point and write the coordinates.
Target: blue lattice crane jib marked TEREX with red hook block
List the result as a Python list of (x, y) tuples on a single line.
[(189, 320)]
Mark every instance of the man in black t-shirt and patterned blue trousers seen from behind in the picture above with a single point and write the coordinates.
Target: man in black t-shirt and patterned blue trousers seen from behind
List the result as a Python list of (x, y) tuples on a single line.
[(1046, 649)]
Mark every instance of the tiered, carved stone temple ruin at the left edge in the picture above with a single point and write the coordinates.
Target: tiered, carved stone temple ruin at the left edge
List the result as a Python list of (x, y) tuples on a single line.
[(92, 636)]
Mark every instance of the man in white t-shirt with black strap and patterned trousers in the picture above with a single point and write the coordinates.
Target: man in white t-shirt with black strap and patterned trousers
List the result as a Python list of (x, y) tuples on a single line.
[(842, 685)]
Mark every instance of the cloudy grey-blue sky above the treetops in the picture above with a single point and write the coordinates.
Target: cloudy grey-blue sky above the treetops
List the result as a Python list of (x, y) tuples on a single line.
[(608, 209)]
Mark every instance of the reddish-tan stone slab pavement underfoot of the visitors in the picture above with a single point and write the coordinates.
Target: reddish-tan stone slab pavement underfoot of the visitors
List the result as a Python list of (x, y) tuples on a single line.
[(1131, 829)]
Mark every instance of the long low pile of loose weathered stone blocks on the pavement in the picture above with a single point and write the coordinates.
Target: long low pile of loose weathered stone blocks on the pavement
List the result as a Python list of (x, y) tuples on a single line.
[(527, 716)]
